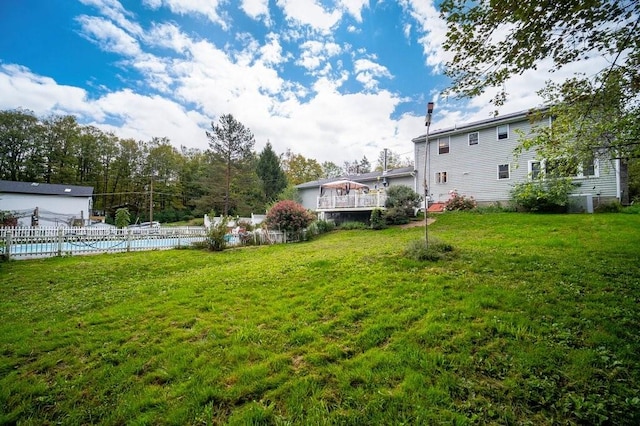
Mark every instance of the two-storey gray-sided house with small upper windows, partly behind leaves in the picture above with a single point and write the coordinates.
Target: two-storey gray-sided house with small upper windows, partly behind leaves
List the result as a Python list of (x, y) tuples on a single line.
[(477, 160)]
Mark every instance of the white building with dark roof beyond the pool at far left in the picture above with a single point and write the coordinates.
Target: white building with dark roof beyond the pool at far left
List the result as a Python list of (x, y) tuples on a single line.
[(43, 204)]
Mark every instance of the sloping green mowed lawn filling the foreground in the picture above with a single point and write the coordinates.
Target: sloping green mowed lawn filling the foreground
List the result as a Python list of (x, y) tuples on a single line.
[(536, 320)]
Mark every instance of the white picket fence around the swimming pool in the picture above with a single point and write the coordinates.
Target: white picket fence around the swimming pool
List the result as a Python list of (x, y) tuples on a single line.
[(41, 242)]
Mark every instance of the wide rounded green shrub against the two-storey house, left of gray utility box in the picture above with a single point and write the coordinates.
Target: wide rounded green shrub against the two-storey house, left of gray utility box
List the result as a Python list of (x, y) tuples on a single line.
[(543, 195)]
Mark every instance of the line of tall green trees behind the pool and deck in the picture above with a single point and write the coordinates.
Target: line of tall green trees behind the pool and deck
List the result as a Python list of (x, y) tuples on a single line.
[(228, 178)]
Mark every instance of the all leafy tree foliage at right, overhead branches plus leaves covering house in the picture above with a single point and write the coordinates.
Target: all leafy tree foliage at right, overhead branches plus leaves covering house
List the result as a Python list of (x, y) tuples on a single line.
[(593, 116)]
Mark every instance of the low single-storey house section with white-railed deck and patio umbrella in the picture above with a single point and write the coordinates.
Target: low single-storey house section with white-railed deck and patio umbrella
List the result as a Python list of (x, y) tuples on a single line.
[(353, 197)]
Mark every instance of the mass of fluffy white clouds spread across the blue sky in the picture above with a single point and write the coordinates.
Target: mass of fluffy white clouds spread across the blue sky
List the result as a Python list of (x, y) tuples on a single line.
[(187, 81)]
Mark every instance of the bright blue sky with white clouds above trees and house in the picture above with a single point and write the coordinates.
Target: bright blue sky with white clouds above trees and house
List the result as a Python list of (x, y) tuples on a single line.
[(333, 80)]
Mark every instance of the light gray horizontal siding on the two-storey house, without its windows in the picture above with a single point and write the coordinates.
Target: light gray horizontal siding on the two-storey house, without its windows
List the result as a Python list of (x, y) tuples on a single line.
[(472, 170)]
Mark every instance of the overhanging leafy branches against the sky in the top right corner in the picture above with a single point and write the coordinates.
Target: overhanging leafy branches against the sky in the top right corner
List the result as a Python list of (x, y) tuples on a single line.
[(493, 41)]
